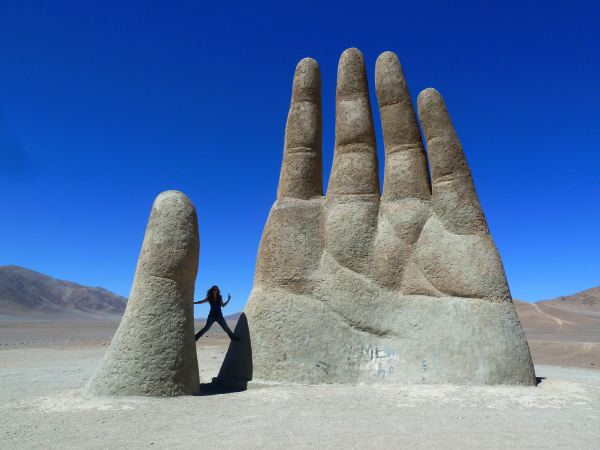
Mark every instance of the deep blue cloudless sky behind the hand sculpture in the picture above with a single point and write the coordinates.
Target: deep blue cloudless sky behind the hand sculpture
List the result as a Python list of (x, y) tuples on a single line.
[(105, 104)]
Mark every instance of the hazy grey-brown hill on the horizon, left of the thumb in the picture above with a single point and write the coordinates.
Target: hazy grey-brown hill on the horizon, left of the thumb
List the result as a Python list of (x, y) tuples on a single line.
[(25, 293)]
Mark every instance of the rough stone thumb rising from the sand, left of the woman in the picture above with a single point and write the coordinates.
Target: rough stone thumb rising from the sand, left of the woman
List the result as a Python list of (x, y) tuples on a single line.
[(153, 351)]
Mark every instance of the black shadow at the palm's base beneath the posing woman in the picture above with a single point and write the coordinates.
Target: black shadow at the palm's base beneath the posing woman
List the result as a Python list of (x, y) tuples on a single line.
[(236, 369)]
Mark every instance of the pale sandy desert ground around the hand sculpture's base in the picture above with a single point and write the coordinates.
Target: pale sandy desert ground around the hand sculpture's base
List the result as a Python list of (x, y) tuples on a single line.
[(44, 365)]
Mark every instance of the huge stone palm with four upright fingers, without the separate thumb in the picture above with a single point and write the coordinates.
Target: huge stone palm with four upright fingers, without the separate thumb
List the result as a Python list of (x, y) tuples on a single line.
[(355, 286)]
